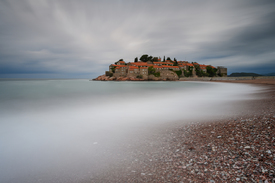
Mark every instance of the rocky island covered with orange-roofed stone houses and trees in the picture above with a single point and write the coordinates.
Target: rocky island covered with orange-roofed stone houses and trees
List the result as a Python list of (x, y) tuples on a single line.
[(153, 68)]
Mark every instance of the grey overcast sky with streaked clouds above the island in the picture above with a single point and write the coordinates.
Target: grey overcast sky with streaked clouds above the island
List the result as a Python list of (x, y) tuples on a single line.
[(79, 39)]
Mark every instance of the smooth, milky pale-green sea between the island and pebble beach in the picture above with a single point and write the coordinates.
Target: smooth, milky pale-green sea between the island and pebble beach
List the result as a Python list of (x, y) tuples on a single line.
[(65, 130)]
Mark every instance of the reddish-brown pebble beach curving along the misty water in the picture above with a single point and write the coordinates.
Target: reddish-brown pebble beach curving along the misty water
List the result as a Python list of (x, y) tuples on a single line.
[(239, 148)]
